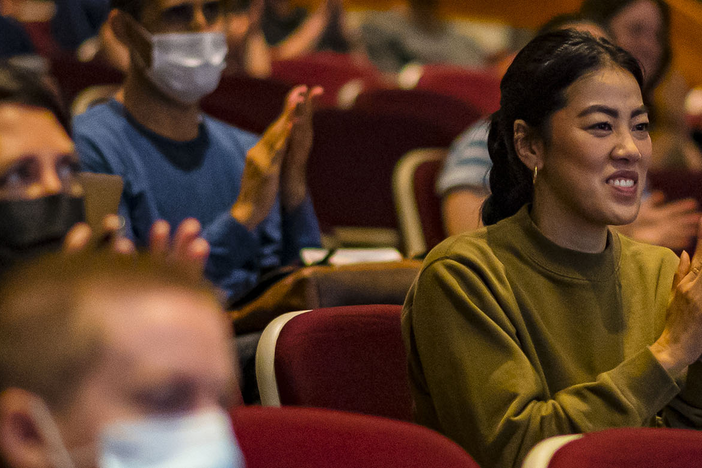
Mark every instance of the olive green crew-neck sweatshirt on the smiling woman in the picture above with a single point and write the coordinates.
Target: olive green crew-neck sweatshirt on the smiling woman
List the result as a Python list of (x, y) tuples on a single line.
[(513, 339)]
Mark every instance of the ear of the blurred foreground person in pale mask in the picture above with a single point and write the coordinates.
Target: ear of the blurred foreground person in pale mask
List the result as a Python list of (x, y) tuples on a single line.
[(21, 442)]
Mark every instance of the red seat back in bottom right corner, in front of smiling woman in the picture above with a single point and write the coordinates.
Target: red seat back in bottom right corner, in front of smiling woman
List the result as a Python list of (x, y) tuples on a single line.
[(632, 448)]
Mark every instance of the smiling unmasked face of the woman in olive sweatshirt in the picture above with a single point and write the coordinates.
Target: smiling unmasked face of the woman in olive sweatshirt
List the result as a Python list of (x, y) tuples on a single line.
[(592, 167)]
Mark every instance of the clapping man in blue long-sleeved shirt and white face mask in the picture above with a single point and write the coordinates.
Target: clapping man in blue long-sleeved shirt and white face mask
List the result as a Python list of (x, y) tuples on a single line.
[(249, 195)]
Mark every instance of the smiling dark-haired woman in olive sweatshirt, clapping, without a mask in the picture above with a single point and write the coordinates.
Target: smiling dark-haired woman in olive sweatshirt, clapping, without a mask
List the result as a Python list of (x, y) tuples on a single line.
[(546, 322)]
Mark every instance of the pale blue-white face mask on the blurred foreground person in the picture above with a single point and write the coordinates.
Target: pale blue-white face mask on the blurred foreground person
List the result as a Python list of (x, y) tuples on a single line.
[(202, 440)]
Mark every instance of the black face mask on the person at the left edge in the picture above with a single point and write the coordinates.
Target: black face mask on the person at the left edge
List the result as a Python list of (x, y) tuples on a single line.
[(29, 228)]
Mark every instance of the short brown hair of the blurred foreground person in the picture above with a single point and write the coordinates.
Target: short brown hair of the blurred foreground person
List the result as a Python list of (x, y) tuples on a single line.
[(47, 343)]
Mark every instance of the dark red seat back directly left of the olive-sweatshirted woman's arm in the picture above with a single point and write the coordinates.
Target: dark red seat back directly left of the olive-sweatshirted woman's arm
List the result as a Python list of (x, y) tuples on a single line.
[(347, 358)]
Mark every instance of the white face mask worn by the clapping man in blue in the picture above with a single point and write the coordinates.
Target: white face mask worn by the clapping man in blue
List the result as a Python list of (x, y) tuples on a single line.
[(185, 66)]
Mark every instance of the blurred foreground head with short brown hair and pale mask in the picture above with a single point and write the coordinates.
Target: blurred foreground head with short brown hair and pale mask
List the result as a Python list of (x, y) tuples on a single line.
[(113, 361)]
